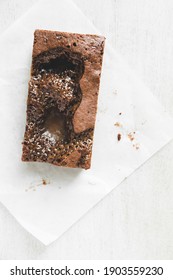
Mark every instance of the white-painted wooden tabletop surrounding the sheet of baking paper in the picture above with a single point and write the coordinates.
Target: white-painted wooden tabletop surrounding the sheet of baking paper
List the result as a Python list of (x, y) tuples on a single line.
[(136, 220)]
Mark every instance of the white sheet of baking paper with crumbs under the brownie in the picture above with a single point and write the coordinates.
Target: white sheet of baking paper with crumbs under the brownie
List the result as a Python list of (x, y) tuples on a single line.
[(126, 107)]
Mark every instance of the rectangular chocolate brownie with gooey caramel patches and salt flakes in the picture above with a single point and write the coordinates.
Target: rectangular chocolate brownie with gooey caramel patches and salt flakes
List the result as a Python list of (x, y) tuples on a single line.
[(62, 98)]
